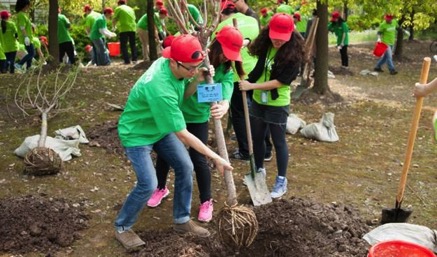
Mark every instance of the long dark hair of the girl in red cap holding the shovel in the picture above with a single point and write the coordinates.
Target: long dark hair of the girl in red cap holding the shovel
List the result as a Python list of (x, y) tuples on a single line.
[(291, 51)]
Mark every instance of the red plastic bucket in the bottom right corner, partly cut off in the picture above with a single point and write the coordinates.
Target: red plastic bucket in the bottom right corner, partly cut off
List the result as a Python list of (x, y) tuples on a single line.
[(398, 248)]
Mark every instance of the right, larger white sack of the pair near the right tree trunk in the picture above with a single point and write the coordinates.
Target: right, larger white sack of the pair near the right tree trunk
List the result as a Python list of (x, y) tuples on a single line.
[(323, 130)]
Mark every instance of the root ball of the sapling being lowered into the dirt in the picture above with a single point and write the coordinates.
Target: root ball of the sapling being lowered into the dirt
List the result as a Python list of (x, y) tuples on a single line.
[(237, 226)]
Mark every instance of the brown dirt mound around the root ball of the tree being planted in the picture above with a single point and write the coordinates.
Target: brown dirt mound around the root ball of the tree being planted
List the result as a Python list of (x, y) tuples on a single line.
[(295, 227)]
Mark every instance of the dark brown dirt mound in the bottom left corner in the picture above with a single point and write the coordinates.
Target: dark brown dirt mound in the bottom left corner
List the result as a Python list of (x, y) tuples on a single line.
[(38, 224)]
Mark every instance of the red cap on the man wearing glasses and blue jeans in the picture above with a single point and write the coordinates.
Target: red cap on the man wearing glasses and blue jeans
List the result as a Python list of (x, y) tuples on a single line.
[(184, 48)]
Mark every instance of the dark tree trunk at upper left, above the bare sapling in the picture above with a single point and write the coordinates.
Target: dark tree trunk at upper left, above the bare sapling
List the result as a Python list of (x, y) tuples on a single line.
[(53, 33)]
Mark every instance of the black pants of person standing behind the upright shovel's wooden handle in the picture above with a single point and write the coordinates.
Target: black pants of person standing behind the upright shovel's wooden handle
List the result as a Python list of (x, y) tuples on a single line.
[(239, 123)]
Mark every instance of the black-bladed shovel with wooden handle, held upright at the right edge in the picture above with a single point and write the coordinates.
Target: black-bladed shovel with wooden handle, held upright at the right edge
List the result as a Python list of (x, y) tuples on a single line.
[(397, 214)]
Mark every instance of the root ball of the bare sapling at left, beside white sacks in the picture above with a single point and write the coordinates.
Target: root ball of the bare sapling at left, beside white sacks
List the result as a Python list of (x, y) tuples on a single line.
[(42, 161)]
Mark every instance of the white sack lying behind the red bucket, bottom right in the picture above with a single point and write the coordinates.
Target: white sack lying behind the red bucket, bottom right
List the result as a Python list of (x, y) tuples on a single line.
[(403, 231)]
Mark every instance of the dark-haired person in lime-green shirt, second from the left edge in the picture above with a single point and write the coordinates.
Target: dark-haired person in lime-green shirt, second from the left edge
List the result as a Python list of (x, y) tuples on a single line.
[(25, 33)]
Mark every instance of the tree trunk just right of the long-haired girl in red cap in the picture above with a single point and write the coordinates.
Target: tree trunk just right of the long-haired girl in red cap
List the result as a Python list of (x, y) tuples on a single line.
[(321, 65)]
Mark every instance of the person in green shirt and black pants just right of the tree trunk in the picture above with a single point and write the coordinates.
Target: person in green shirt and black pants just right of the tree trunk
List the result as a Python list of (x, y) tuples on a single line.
[(341, 30)]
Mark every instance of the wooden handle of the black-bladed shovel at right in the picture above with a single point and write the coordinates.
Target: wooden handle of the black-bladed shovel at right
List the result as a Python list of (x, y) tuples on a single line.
[(412, 135)]
